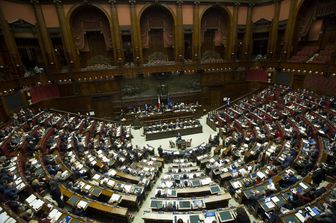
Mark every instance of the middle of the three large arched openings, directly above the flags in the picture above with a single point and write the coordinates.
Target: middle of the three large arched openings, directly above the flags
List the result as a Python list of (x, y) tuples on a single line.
[(157, 34)]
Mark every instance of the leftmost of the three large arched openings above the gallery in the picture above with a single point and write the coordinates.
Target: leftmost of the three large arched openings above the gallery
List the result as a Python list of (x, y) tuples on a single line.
[(92, 36)]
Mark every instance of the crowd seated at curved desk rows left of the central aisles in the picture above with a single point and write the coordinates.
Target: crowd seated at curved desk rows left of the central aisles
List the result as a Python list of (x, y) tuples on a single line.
[(53, 157)]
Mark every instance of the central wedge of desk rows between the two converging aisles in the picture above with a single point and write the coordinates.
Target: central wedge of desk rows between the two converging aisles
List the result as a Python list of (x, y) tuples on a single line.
[(184, 187)]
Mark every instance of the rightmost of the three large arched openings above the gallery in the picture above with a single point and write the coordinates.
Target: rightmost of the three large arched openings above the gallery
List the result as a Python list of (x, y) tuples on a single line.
[(214, 33)]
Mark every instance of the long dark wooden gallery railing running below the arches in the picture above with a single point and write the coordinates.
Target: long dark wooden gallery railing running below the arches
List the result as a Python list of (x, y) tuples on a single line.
[(300, 69)]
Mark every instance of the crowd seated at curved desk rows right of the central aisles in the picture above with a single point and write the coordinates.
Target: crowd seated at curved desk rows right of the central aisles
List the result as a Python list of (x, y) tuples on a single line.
[(277, 140)]
